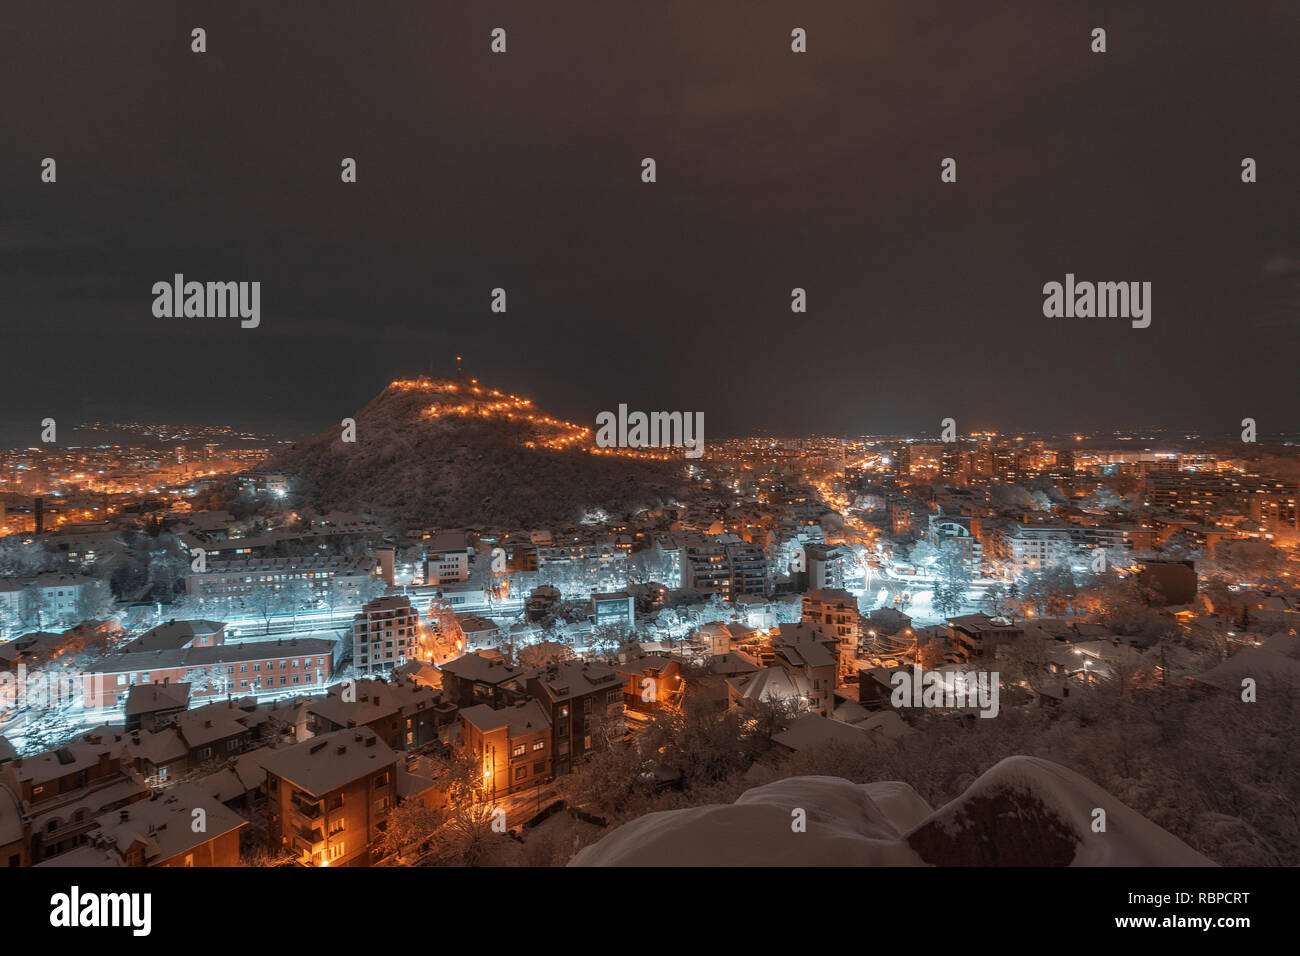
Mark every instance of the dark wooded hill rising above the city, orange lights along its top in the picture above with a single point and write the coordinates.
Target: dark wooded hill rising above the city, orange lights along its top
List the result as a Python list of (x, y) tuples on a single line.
[(452, 453)]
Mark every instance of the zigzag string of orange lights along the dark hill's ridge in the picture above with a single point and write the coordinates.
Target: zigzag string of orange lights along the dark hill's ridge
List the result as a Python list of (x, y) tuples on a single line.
[(491, 404)]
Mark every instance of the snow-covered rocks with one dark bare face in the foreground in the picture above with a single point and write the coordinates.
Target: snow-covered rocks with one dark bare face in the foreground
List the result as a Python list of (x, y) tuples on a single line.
[(1022, 812)]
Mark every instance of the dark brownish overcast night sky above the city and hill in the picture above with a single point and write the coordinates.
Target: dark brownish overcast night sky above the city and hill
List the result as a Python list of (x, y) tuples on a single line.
[(775, 171)]
